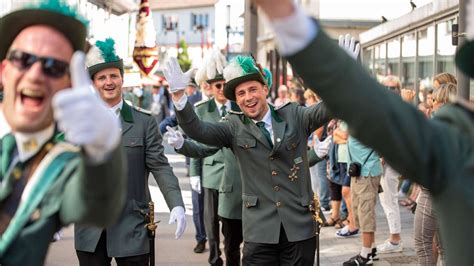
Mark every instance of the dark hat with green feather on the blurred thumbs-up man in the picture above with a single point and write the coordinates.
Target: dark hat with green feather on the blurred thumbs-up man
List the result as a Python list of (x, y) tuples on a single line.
[(53, 13)]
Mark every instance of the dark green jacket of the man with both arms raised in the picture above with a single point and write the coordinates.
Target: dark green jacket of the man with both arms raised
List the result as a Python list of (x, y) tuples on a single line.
[(270, 198)]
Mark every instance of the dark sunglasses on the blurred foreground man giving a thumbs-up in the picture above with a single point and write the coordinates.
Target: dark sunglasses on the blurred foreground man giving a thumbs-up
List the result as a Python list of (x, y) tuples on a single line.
[(51, 67)]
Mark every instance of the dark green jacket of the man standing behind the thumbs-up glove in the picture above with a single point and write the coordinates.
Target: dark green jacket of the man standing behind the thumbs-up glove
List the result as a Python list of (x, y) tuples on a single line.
[(141, 140)]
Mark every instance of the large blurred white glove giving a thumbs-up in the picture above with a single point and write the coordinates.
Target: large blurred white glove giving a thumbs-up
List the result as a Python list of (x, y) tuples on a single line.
[(72, 111)]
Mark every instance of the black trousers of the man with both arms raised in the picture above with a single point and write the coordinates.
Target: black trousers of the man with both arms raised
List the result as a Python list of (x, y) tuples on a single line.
[(299, 253)]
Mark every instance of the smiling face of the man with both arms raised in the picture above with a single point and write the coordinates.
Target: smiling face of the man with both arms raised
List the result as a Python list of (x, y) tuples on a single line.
[(251, 97)]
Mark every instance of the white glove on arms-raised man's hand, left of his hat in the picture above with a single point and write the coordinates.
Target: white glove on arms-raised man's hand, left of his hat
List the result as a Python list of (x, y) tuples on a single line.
[(177, 80)]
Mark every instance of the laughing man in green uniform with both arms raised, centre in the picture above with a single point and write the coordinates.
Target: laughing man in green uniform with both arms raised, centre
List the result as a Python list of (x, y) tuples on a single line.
[(271, 150)]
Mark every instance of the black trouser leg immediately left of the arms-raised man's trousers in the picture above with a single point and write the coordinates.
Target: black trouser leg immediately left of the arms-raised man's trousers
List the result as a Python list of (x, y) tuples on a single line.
[(232, 232)]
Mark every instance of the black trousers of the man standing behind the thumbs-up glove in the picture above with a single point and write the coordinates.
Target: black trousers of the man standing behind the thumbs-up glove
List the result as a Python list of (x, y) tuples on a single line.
[(100, 258)]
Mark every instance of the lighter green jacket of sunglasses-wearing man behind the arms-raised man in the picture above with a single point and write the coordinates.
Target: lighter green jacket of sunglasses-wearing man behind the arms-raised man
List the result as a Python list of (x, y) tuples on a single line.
[(211, 167)]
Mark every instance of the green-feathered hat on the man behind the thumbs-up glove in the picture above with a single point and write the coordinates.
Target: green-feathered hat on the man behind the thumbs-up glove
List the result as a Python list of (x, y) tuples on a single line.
[(102, 56)]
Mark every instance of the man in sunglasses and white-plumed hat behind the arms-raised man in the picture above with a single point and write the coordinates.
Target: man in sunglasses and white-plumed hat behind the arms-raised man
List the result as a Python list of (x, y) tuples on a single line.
[(213, 167)]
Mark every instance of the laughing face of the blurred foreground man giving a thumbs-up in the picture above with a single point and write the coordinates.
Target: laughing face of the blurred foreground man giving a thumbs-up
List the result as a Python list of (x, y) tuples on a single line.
[(28, 92)]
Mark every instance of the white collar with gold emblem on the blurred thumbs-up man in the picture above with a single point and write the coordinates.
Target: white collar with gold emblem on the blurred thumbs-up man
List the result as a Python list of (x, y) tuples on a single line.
[(29, 144)]
